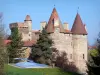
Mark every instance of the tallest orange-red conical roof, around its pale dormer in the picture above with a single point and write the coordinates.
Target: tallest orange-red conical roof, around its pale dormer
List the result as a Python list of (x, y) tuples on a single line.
[(54, 17)]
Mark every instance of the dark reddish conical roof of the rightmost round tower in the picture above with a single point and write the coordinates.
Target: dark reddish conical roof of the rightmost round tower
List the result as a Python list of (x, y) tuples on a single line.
[(78, 27)]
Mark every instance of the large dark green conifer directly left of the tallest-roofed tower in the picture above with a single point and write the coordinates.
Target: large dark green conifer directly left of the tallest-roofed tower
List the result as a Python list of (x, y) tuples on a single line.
[(42, 51)]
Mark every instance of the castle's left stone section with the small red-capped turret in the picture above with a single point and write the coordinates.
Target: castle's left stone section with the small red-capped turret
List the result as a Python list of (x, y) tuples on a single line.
[(25, 29)]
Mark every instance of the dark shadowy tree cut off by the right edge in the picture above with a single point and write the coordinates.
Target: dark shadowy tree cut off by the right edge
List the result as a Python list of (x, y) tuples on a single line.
[(94, 61)]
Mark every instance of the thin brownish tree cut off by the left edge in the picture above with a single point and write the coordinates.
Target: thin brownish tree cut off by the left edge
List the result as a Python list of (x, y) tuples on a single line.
[(3, 52)]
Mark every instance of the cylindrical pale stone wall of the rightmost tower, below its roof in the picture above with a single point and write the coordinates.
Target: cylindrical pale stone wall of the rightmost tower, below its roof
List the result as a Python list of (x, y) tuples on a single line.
[(80, 51)]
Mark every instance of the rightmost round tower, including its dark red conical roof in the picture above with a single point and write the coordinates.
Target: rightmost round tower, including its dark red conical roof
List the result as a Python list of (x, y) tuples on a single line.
[(79, 44)]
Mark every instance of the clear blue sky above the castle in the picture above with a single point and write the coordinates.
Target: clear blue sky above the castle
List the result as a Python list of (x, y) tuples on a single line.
[(40, 10)]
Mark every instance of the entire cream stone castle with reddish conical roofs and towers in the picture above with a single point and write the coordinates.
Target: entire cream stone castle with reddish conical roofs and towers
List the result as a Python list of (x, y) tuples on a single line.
[(73, 42)]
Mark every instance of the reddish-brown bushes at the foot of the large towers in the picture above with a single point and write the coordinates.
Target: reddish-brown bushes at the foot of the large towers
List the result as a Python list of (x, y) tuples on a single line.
[(60, 59)]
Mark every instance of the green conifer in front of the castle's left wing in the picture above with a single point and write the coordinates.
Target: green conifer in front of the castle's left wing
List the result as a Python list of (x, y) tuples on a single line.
[(15, 47)]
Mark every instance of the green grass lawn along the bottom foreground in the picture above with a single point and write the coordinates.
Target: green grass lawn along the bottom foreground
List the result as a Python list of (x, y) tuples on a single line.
[(35, 71)]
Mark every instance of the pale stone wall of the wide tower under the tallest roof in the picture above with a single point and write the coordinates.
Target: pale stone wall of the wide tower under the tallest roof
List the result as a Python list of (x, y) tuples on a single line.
[(63, 43)]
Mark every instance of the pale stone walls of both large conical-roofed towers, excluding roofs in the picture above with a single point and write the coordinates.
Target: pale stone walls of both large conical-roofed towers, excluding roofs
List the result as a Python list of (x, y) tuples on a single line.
[(74, 45)]
